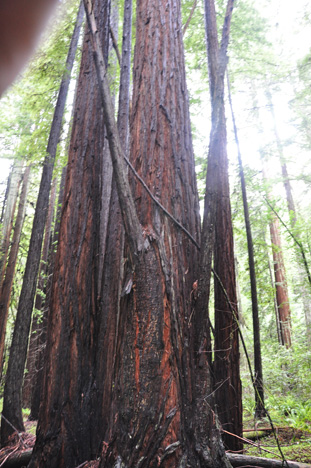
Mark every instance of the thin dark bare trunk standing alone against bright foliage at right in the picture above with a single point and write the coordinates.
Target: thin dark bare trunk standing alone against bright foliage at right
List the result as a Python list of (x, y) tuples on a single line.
[(258, 379)]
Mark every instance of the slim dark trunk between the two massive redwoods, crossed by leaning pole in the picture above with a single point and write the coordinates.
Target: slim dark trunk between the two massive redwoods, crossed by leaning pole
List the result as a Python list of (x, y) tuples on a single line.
[(111, 287)]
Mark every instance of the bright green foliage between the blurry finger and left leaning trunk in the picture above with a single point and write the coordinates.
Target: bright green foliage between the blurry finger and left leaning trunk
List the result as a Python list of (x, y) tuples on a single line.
[(27, 109)]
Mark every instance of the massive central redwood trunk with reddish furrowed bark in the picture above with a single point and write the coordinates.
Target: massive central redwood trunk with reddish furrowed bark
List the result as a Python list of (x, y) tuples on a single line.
[(151, 392)]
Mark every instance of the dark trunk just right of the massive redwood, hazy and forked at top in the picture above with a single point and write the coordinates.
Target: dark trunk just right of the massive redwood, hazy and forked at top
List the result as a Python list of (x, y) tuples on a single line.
[(218, 237)]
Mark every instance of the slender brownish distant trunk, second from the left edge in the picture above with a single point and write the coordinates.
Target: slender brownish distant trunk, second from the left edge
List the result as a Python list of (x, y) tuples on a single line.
[(5, 294)]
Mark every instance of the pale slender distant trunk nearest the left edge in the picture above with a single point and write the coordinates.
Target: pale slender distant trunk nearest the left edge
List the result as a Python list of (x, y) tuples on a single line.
[(8, 216)]
